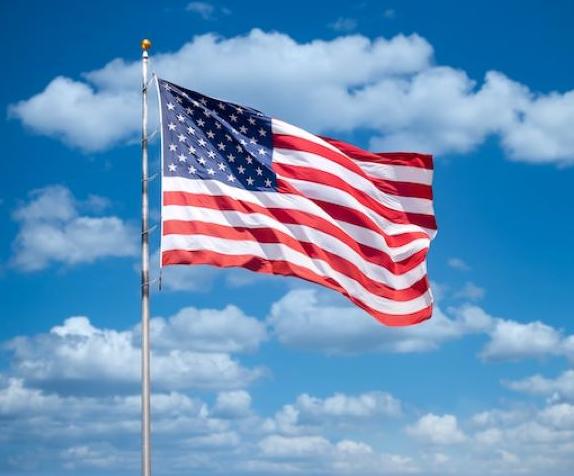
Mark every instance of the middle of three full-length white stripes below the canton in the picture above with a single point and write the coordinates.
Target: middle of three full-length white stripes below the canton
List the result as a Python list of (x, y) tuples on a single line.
[(377, 273)]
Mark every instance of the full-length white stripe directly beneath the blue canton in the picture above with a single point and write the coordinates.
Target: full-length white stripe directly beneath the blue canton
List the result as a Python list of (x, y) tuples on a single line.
[(361, 234)]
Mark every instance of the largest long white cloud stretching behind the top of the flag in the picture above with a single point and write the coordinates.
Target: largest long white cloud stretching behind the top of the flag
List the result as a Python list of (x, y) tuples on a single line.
[(348, 81)]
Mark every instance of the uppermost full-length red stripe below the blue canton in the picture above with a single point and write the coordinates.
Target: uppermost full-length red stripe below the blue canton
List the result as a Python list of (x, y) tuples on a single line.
[(289, 216)]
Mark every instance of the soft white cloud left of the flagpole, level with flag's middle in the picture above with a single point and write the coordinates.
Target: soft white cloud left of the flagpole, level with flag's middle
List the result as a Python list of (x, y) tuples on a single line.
[(53, 230)]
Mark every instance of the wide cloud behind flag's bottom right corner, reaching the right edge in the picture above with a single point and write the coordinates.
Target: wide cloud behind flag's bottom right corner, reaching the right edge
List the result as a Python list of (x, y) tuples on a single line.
[(319, 321)]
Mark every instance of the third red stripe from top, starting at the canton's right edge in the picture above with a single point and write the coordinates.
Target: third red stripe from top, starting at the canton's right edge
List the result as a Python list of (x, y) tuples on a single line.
[(318, 176)]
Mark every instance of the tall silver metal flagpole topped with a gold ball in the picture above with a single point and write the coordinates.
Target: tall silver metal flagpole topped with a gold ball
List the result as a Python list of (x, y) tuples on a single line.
[(145, 355)]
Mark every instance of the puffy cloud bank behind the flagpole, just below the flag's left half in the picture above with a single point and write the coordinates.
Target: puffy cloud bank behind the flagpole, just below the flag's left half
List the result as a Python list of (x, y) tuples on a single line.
[(77, 351)]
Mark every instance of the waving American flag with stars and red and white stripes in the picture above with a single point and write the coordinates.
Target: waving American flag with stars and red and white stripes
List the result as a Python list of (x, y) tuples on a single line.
[(242, 189)]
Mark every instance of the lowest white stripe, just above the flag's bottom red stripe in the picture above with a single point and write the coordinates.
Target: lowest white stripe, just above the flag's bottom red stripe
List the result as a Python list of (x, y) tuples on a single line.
[(281, 252)]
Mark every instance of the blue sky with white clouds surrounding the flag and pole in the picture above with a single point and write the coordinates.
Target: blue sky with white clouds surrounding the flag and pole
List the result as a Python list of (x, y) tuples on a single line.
[(262, 375)]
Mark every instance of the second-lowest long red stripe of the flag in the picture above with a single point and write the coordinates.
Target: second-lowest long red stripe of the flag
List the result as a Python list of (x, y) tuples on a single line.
[(272, 236)]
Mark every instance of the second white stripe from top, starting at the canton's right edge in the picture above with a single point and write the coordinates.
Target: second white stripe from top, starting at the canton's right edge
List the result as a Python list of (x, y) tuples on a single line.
[(361, 183)]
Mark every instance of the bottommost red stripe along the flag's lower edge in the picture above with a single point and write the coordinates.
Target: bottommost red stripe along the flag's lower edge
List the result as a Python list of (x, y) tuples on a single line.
[(286, 268)]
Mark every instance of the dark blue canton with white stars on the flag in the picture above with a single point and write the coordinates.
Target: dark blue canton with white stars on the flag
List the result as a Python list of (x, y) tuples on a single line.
[(209, 139)]
